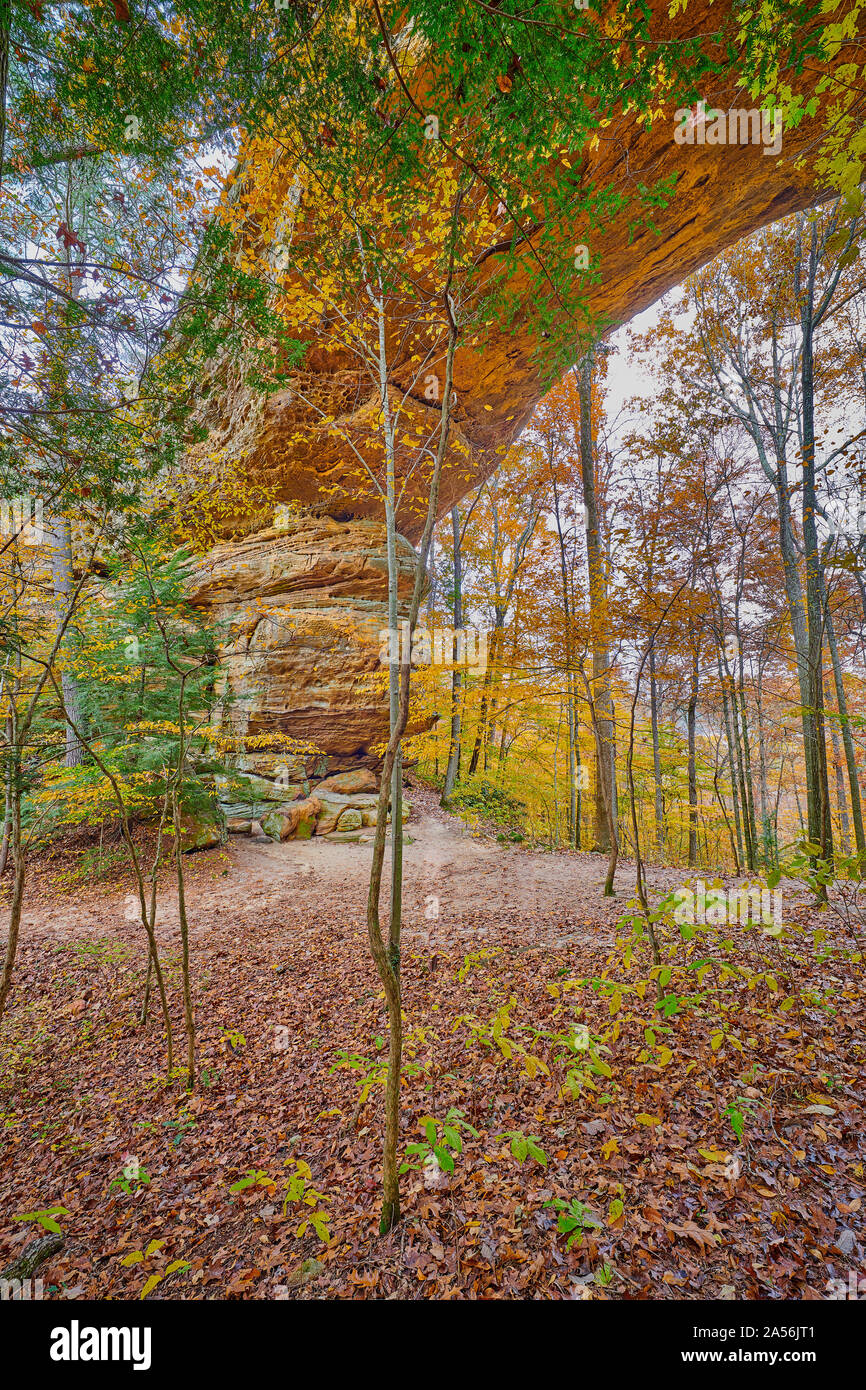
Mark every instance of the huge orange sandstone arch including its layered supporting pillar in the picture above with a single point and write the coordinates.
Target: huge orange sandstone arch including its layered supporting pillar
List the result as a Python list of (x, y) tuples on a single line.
[(305, 605)]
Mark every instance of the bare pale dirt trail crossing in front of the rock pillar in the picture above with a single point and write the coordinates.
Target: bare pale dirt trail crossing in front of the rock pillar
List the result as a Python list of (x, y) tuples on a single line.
[(452, 881)]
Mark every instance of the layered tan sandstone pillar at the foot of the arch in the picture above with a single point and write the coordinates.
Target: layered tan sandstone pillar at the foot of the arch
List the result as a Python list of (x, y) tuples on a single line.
[(301, 610)]
